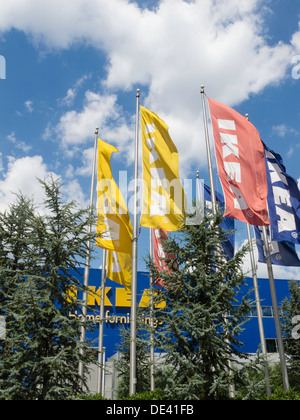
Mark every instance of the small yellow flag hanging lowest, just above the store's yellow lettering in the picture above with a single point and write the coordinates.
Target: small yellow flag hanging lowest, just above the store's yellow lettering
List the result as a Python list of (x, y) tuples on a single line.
[(119, 268)]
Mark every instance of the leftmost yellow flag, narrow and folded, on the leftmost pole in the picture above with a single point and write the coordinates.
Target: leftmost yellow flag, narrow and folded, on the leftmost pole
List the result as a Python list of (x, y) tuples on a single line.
[(113, 226)]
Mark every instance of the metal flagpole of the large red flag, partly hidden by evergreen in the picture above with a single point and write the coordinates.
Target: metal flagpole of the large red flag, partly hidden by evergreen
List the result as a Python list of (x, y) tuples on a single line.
[(214, 207)]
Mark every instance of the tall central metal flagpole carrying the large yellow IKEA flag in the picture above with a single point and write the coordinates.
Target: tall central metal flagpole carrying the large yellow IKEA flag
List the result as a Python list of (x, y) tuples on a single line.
[(133, 368)]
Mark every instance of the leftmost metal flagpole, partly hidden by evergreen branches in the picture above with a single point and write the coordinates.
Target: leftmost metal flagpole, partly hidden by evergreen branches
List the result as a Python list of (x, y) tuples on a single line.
[(87, 262)]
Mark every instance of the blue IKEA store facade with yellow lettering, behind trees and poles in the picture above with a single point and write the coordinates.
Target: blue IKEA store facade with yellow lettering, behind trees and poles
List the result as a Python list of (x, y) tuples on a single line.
[(118, 305)]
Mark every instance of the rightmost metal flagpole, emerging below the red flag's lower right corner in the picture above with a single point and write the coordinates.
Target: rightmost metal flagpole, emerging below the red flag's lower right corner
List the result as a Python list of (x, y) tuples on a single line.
[(284, 372)]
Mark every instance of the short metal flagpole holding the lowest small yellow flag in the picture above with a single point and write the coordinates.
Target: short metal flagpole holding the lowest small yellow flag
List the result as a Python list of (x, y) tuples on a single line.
[(101, 325)]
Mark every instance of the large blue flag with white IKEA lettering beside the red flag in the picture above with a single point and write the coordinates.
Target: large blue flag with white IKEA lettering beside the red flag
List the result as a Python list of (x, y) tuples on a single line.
[(283, 200)]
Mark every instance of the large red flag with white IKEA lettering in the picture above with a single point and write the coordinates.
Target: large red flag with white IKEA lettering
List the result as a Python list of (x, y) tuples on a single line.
[(241, 165)]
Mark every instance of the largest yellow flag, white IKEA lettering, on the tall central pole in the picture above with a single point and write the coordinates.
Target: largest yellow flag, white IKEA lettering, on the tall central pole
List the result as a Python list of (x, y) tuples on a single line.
[(163, 197)]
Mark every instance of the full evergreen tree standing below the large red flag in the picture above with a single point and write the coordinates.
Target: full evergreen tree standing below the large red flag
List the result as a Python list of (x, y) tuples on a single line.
[(202, 319)]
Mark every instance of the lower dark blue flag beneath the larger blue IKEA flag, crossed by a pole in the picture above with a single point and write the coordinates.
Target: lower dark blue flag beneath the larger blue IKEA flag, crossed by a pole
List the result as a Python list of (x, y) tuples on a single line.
[(282, 253)]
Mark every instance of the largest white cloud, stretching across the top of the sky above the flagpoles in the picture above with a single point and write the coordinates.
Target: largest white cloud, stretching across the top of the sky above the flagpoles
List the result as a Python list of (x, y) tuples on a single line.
[(179, 45)]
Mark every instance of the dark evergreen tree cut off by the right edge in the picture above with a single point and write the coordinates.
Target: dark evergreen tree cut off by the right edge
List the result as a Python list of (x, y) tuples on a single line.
[(291, 310)]
